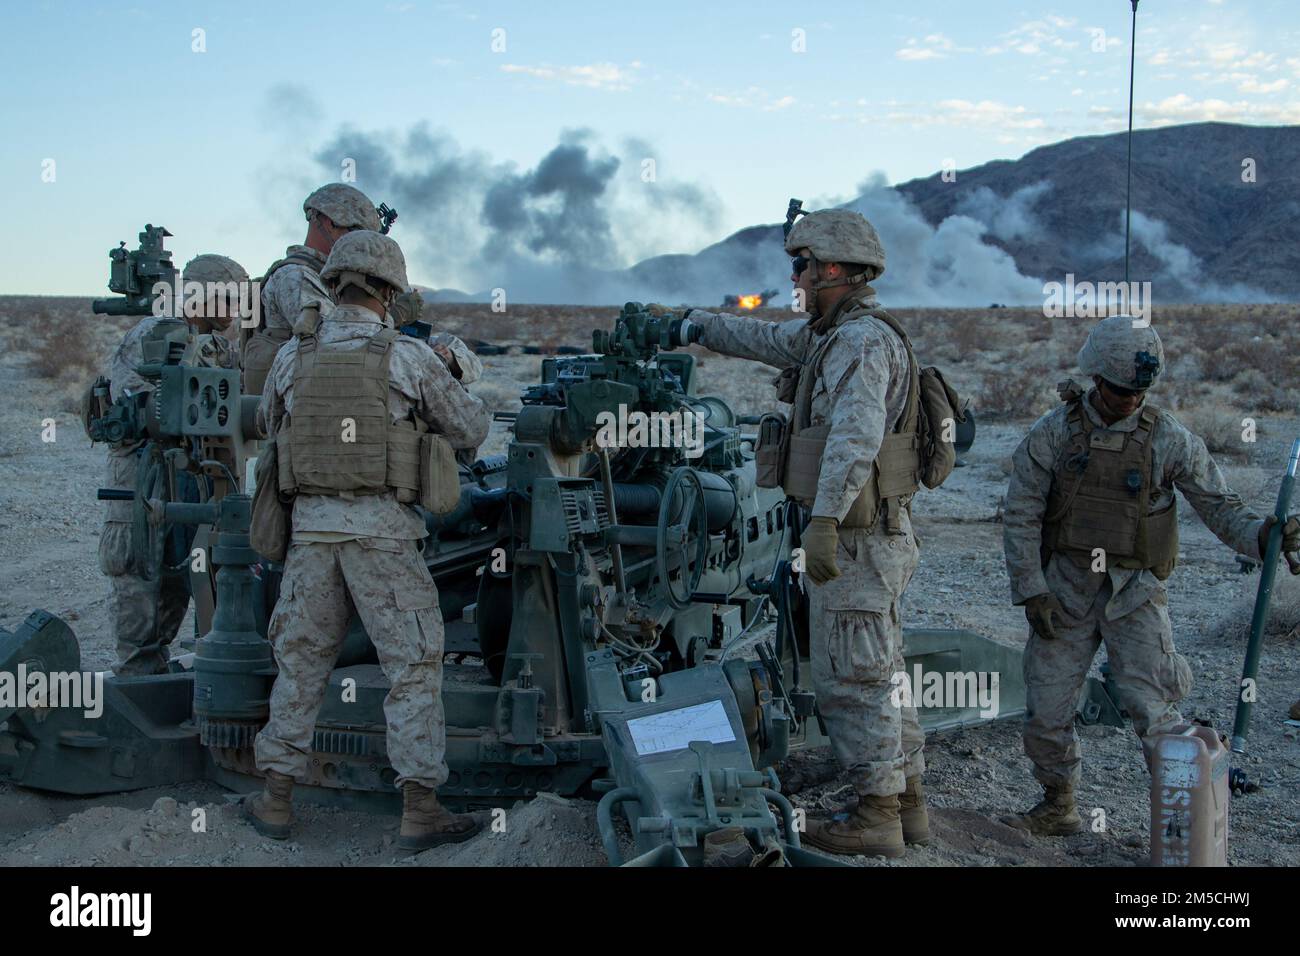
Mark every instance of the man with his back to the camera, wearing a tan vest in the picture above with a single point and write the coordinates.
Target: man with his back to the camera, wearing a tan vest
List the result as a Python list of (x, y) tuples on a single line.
[(358, 552)]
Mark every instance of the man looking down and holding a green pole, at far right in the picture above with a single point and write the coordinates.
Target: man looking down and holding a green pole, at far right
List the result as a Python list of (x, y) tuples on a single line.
[(1082, 569)]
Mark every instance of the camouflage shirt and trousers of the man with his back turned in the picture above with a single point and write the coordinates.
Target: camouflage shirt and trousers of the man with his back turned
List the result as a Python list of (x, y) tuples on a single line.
[(359, 553)]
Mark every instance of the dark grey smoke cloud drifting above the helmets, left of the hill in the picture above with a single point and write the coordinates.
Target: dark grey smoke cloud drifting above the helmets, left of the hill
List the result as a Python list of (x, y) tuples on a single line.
[(558, 232)]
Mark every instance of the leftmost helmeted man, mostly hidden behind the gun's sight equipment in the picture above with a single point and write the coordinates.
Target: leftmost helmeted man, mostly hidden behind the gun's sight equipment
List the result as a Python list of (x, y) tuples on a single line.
[(148, 613)]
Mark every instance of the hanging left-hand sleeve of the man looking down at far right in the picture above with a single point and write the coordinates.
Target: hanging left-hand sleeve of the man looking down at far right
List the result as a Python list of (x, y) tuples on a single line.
[(1026, 507)]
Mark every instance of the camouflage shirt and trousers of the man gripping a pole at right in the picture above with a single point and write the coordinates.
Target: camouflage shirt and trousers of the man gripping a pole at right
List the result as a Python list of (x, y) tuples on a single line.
[(1125, 609)]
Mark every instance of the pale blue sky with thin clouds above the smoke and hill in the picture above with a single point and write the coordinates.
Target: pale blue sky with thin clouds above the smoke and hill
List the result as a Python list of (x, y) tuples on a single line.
[(220, 145)]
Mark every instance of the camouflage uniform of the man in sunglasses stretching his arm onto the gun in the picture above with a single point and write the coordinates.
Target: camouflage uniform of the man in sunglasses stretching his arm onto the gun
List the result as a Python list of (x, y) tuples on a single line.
[(861, 390)]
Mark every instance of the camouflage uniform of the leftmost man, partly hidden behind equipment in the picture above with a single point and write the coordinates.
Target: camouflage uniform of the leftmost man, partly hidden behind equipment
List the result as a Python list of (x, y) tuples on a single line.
[(146, 615)]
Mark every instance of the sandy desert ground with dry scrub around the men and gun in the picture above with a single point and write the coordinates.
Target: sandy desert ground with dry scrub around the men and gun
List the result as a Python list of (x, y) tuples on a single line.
[(1227, 364)]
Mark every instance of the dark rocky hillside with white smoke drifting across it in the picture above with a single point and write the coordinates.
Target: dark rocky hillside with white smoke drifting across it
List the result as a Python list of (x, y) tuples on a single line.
[(995, 233)]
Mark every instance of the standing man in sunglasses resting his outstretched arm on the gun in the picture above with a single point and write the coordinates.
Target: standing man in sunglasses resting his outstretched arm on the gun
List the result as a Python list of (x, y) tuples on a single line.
[(853, 375)]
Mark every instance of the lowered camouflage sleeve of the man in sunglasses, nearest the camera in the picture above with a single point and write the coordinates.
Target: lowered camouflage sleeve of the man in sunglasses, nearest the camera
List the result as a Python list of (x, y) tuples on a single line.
[(857, 379)]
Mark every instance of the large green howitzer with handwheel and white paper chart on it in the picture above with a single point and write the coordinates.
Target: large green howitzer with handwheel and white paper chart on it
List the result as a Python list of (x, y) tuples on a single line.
[(606, 585)]
